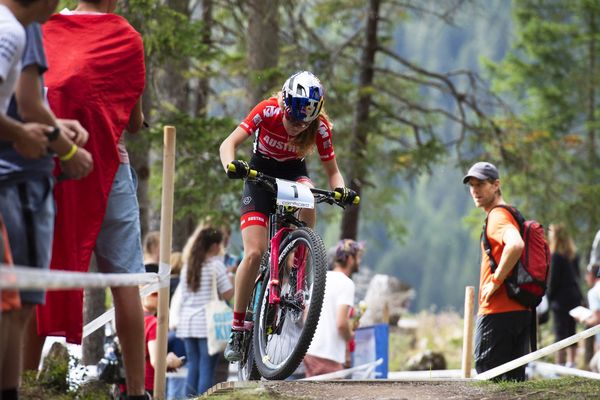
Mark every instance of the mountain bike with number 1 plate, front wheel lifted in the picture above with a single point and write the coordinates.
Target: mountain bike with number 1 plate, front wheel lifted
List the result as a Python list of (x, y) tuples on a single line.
[(288, 292)]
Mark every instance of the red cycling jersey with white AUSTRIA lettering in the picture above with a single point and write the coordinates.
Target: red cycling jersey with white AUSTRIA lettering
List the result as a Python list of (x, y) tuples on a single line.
[(265, 121)]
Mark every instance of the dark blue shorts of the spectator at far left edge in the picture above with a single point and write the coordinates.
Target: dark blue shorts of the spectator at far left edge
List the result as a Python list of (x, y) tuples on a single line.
[(28, 210)]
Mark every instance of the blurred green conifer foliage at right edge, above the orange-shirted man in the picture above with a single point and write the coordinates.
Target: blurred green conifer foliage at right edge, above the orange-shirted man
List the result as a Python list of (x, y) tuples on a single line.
[(548, 149)]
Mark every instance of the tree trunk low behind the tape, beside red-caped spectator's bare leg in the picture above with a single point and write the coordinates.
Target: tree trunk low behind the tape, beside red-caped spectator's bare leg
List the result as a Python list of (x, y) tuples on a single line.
[(93, 306)]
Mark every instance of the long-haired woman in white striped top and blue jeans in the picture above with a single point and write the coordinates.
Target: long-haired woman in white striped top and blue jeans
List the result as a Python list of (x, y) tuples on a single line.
[(205, 260)]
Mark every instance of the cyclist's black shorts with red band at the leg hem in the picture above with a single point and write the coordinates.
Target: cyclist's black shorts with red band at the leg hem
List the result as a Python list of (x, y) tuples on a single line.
[(258, 203)]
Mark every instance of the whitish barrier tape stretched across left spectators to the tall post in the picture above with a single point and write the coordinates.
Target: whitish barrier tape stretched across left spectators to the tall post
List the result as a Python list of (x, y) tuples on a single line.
[(18, 277)]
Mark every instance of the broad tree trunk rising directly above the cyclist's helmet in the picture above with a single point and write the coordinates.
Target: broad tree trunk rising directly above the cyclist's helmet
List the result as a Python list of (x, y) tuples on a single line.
[(263, 48)]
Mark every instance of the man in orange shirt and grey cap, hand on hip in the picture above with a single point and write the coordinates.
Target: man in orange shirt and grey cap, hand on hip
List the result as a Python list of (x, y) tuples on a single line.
[(503, 325)]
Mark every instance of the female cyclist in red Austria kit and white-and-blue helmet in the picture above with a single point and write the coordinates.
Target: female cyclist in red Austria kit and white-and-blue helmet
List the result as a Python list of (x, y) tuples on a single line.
[(286, 128)]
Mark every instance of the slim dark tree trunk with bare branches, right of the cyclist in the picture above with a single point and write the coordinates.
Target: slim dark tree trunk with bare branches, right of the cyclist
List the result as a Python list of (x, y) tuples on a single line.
[(357, 170)]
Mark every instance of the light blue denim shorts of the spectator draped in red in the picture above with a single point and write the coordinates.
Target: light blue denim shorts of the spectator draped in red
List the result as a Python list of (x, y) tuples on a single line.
[(119, 244)]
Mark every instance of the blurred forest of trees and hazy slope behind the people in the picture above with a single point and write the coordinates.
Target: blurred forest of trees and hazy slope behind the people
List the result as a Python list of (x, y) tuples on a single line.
[(417, 90)]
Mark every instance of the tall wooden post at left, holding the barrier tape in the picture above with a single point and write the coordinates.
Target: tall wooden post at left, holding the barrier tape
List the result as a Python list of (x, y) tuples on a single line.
[(166, 232)]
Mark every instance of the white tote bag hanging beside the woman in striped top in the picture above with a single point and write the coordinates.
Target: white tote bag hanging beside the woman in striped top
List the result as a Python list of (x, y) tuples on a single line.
[(219, 317)]
